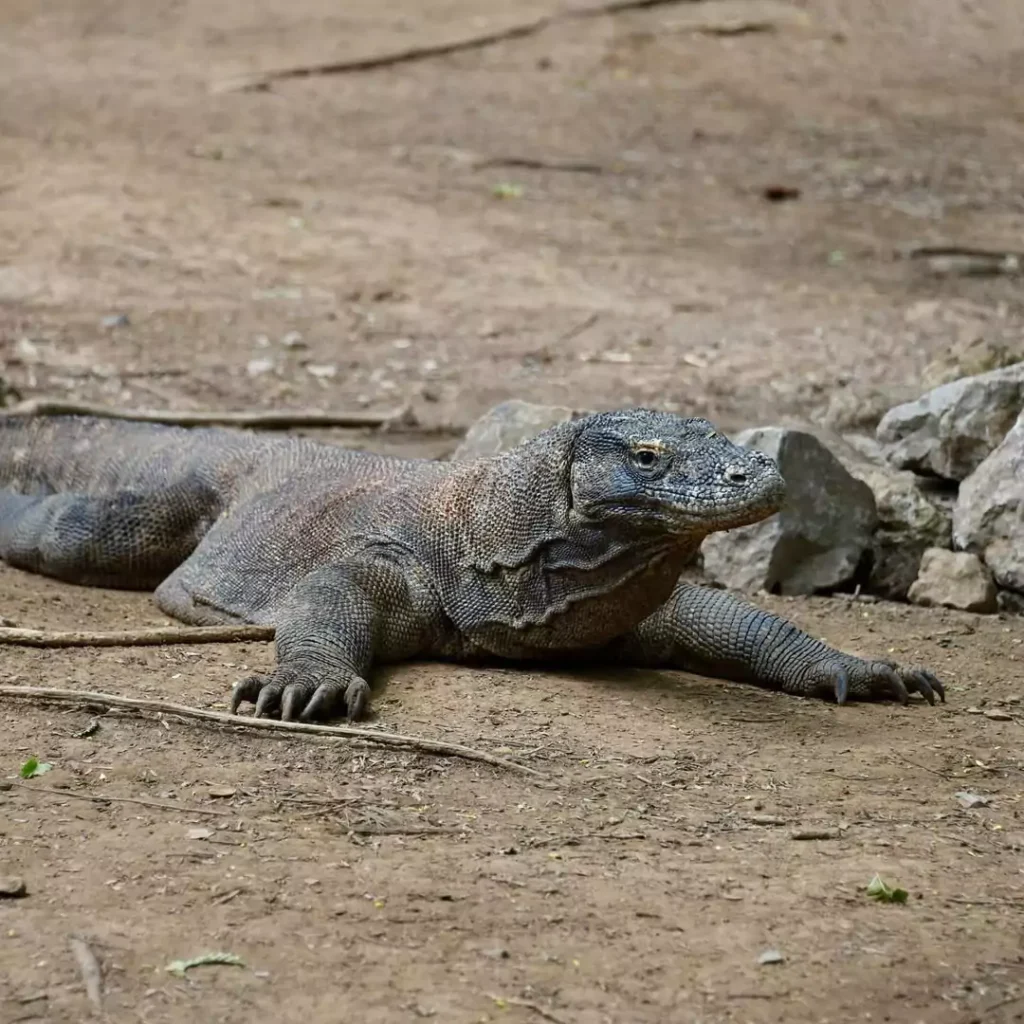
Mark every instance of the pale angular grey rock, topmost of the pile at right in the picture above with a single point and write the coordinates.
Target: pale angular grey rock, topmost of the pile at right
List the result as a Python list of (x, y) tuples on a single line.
[(950, 432)]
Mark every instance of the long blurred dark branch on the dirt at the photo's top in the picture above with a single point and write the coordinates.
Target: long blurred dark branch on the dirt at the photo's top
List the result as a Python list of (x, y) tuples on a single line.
[(263, 80)]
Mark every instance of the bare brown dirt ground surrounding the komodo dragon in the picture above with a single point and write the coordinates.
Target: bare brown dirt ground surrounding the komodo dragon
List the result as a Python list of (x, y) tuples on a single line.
[(343, 242)]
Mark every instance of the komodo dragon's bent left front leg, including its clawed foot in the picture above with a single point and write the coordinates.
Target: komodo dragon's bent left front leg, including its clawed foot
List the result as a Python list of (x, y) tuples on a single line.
[(337, 623)]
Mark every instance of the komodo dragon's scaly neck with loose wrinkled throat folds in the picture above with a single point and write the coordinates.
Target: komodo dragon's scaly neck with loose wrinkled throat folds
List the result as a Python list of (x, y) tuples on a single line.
[(532, 563)]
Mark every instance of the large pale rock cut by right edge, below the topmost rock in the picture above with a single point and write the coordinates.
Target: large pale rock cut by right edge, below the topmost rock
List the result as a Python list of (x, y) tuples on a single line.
[(989, 519)]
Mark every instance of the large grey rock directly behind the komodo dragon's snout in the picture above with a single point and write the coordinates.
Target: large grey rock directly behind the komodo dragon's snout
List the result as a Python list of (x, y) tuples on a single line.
[(819, 541)]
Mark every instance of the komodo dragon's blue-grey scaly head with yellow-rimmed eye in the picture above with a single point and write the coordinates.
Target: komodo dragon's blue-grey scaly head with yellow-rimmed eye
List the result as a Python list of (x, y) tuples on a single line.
[(654, 472)]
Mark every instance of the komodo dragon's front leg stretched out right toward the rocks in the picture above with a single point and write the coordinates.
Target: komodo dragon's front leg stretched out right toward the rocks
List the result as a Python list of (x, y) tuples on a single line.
[(712, 633)]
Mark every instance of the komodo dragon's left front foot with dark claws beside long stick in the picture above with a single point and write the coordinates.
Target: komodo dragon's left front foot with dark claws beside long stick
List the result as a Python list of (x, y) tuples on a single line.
[(302, 692)]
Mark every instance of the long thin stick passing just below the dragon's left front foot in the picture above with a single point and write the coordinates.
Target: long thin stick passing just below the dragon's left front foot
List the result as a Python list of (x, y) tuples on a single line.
[(372, 737)]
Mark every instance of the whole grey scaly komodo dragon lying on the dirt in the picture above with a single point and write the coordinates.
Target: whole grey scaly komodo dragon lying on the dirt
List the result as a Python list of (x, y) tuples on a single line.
[(569, 546)]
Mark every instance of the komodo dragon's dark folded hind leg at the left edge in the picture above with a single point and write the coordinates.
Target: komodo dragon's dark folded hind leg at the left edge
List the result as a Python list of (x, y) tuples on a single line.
[(129, 540)]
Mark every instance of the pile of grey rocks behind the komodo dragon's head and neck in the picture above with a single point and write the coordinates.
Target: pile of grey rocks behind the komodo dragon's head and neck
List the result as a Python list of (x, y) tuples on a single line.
[(931, 510)]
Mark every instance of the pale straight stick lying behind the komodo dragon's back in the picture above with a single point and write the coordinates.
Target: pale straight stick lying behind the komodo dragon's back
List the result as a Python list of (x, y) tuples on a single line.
[(206, 418)]
